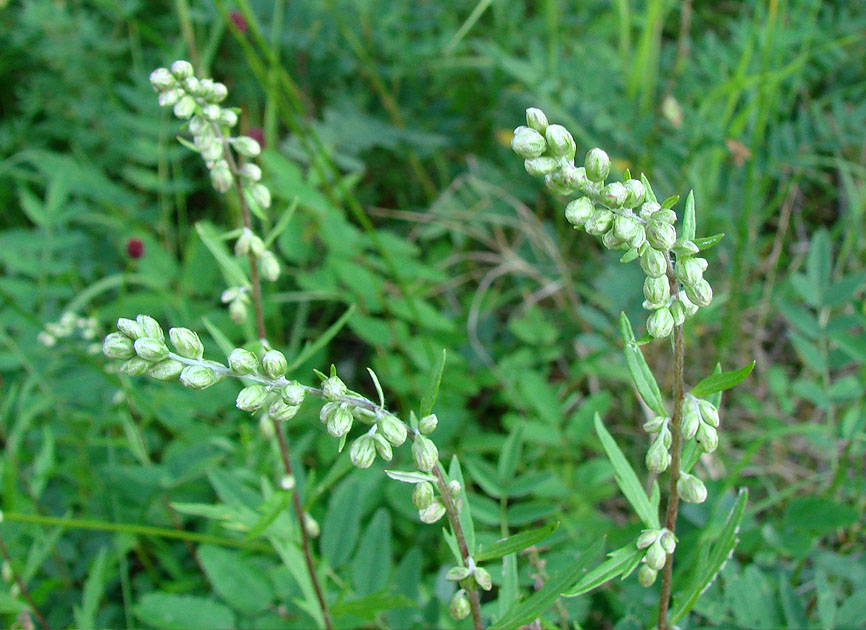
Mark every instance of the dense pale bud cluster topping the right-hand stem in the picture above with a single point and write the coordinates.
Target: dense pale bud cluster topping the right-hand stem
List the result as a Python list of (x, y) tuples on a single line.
[(623, 216)]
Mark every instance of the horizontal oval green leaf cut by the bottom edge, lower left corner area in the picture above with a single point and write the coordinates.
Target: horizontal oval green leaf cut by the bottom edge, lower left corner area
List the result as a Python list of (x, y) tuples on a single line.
[(182, 612)]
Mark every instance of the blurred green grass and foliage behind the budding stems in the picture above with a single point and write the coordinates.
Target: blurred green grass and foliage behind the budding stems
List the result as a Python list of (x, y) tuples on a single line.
[(389, 121)]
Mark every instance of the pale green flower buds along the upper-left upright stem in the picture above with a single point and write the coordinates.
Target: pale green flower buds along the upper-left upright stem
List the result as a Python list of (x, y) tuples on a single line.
[(227, 157)]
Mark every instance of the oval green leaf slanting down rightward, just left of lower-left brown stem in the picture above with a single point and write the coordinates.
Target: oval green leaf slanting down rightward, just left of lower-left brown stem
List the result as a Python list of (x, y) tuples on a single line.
[(238, 583)]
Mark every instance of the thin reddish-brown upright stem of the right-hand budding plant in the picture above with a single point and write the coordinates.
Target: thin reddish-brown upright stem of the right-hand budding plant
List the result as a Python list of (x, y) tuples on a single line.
[(676, 452)]
